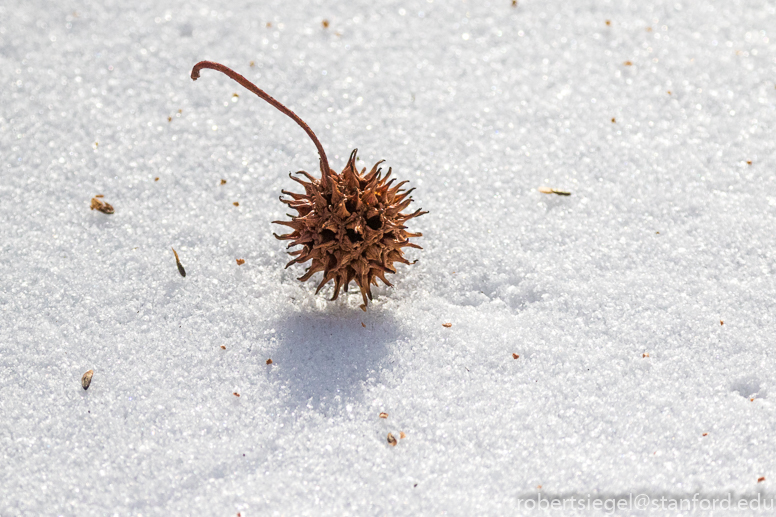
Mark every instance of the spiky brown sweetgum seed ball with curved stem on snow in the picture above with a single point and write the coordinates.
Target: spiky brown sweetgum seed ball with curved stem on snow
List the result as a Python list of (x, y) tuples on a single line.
[(350, 224)]
